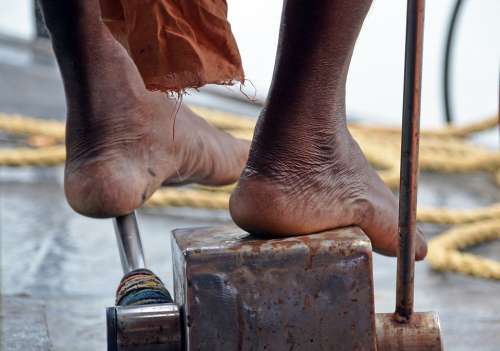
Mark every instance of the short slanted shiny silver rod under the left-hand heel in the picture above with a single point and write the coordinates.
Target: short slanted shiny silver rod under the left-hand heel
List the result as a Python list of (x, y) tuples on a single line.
[(129, 243)]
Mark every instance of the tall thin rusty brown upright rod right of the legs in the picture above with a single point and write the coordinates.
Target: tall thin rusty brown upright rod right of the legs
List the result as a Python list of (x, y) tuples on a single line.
[(409, 158)]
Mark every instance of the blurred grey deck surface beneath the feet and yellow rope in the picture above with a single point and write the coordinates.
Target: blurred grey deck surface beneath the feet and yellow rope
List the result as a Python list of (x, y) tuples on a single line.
[(60, 270)]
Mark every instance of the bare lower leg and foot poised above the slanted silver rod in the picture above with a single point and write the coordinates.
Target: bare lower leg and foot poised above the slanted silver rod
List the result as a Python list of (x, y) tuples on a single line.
[(123, 141)]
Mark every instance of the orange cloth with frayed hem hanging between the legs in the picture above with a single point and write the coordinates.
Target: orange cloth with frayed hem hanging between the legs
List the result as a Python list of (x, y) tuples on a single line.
[(176, 44)]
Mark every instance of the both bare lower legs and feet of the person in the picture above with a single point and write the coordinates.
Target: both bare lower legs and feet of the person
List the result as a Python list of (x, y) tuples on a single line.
[(305, 172)]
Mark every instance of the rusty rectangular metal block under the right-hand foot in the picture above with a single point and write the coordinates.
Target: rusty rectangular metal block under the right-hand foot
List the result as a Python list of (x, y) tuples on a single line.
[(308, 293)]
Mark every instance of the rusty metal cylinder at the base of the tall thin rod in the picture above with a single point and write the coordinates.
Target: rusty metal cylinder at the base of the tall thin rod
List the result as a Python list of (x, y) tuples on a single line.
[(421, 332)]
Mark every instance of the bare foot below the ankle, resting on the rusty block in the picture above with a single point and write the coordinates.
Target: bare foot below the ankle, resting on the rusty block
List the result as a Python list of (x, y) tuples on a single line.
[(337, 190)]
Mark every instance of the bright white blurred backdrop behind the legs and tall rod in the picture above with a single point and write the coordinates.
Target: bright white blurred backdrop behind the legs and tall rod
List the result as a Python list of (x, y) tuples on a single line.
[(375, 79)]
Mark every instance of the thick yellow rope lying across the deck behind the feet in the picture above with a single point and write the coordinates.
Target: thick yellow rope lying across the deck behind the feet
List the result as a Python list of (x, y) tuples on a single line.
[(442, 150)]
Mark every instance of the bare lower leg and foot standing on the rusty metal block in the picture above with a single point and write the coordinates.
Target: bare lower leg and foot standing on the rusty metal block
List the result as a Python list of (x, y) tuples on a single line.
[(305, 172)]
